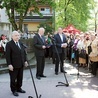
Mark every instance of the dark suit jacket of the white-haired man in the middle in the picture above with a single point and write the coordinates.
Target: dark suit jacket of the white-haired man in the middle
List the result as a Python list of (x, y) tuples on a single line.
[(38, 43)]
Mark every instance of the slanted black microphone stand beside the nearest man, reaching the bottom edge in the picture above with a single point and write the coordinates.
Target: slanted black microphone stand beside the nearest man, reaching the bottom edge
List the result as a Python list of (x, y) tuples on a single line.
[(37, 96)]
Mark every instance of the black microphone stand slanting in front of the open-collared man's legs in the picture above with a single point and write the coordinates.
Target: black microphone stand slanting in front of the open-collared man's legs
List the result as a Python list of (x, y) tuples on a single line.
[(60, 83)]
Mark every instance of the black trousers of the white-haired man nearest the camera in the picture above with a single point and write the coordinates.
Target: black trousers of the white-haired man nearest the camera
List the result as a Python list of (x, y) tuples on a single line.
[(16, 78)]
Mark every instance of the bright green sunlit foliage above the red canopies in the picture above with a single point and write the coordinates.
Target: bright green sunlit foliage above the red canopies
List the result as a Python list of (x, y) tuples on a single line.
[(74, 12)]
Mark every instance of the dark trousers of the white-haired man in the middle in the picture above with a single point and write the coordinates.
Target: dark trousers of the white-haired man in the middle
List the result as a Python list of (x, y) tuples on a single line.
[(40, 65)]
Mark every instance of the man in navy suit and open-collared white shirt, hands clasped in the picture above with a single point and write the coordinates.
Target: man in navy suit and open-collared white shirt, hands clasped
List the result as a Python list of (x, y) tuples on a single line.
[(61, 44)]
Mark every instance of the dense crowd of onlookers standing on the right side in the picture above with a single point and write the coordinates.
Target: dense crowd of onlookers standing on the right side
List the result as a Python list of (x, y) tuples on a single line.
[(84, 46)]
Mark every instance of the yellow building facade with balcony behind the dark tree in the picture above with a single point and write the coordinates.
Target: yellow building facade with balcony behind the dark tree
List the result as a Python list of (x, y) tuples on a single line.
[(31, 22)]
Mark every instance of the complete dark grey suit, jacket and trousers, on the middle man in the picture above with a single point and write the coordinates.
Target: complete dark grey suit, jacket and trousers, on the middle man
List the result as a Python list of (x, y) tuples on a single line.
[(38, 42)]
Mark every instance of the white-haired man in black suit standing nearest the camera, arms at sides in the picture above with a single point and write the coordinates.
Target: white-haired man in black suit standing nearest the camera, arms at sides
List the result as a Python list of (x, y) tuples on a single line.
[(16, 59)]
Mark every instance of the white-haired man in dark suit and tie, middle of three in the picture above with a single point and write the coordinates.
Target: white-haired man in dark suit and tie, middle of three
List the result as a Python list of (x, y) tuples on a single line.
[(39, 47)]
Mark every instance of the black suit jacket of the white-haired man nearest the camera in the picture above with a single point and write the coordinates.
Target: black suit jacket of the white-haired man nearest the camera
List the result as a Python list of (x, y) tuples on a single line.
[(15, 56)]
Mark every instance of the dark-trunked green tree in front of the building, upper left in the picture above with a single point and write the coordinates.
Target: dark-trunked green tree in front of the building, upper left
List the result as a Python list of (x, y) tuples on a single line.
[(21, 7)]
